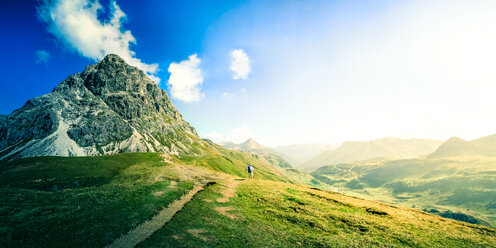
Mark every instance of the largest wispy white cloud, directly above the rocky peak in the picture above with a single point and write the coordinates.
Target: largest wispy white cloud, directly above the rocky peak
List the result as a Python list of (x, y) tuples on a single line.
[(76, 23)]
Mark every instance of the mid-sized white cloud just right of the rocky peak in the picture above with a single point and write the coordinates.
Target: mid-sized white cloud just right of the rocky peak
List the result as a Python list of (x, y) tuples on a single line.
[(185, 79)]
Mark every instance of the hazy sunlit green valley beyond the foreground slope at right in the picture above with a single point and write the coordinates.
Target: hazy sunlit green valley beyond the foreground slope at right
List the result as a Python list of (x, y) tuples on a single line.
[(456, 187)]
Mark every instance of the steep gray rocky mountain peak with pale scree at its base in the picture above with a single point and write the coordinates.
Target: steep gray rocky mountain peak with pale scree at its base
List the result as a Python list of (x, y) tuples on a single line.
[(110, 107)]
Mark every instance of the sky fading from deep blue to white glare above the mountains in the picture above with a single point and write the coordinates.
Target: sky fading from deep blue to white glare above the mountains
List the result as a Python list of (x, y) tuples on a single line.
[(281, 72)]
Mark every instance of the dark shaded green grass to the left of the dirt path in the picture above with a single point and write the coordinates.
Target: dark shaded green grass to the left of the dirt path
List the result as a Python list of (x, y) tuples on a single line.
[(80, 202)]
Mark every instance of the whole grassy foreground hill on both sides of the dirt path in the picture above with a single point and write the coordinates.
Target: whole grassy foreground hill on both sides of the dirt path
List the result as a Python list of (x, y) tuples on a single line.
[(91, 201)]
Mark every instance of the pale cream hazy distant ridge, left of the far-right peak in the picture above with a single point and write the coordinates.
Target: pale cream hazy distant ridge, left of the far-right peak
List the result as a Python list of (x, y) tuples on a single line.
[(387, 148)]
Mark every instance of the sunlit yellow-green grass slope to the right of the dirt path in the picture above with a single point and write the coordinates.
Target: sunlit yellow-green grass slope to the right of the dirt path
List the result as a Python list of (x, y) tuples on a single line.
[(272, 214)]
